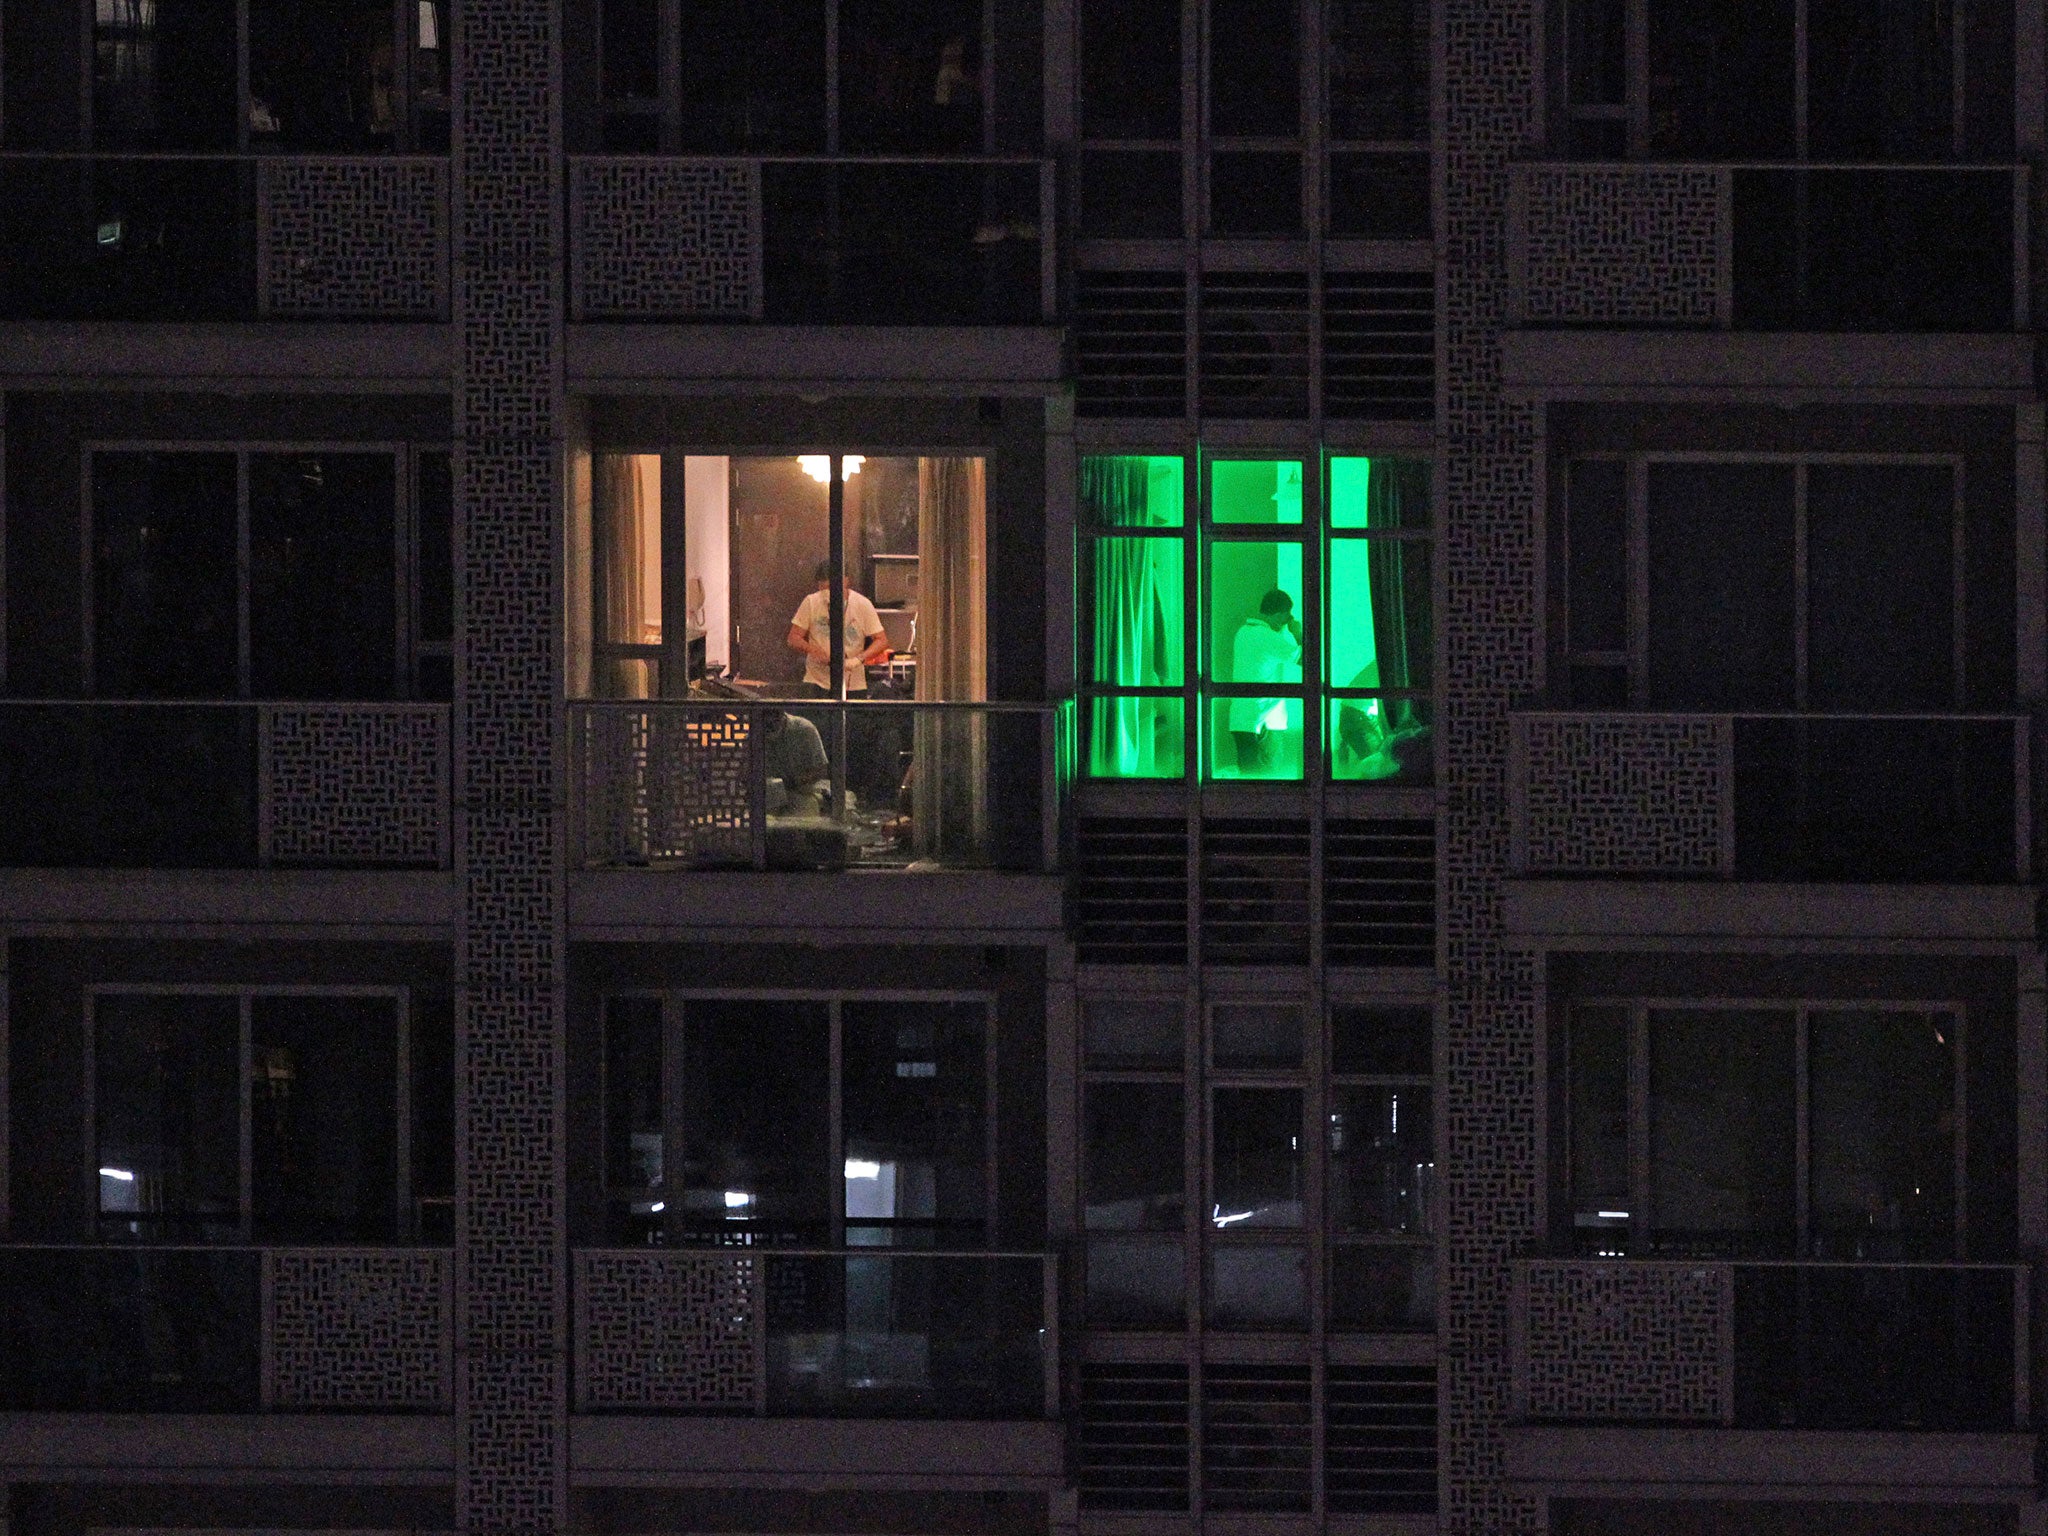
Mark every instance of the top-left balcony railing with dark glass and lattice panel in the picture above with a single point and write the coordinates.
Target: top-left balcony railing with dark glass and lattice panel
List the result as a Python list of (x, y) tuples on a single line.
[(93, 237)]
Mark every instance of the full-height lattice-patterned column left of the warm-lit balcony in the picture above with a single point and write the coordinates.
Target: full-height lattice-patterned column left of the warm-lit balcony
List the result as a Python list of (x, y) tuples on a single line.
[(509, 433)]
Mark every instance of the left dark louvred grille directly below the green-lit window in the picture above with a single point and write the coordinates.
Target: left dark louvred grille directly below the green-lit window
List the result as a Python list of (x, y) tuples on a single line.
[(1132, 890)]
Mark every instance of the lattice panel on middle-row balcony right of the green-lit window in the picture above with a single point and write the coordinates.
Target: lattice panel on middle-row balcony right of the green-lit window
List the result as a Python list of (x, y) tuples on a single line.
[(1627, 794)]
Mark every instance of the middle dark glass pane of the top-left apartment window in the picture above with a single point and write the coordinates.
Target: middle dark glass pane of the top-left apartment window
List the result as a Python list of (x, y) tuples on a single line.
[(321, 77)]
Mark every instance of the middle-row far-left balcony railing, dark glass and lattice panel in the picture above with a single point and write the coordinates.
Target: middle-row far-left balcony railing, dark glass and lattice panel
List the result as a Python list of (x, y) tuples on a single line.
[(224, 785)]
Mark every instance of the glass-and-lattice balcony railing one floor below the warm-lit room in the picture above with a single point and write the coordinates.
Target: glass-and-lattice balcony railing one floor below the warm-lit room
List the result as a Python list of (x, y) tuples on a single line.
[(871, 1332)]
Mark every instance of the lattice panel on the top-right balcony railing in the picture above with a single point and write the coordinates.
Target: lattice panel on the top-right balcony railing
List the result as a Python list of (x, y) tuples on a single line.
[(1615, 245)]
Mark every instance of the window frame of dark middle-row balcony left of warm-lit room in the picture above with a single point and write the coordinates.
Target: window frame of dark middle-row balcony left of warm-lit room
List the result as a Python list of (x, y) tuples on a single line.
[(407, 562)]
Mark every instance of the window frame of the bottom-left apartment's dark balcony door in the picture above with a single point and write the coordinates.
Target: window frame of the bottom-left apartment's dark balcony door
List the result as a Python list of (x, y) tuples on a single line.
[(407, 1215)]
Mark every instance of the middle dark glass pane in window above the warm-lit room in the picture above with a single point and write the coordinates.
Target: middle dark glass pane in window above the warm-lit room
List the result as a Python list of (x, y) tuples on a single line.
[(755, 77)]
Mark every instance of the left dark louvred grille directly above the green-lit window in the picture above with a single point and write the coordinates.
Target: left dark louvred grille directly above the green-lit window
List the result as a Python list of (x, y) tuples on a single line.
[(1132, 345)]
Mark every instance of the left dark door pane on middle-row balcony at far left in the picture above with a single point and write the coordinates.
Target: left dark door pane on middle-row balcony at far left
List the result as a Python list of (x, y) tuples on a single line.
[(165, 574)]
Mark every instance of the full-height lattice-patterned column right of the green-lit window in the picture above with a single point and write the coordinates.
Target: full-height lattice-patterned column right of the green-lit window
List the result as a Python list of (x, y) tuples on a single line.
[(1490, 114)]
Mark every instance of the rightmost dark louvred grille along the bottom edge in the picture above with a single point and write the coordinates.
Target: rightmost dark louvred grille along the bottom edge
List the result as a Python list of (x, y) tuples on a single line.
[(1379, 1441)]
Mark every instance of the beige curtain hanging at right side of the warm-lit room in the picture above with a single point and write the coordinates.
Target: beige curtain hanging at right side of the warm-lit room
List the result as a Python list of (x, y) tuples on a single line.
[(949, 806)]
